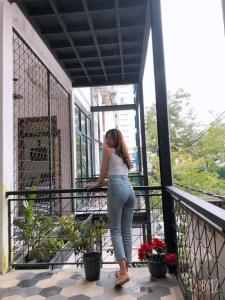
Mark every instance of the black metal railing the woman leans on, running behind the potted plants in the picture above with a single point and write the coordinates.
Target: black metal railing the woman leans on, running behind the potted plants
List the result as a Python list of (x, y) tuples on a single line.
[(43, 230)]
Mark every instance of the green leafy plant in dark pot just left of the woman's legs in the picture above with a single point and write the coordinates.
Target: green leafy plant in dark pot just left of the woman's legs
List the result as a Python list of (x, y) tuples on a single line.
[(85, 238)]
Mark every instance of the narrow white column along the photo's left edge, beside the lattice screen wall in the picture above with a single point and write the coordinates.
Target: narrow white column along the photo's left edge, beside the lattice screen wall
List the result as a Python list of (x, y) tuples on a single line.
[(6, 124)]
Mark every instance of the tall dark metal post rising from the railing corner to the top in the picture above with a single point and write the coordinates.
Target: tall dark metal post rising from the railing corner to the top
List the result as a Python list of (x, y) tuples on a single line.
[(162, 123)]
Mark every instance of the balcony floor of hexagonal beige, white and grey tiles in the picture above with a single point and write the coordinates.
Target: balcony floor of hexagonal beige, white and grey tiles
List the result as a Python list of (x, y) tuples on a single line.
[(71, 285)]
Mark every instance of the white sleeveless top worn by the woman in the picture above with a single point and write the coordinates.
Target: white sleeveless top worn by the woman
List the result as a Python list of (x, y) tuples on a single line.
[(116, 165)]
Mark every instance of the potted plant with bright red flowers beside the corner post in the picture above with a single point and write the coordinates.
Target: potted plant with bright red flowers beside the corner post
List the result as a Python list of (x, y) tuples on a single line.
[(156, 254)]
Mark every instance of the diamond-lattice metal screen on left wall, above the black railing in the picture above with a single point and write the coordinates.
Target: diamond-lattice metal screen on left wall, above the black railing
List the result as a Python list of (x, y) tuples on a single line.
[(42, 137)]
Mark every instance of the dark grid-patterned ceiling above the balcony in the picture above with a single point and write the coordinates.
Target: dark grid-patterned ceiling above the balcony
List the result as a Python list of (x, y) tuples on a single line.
[(97, 42)]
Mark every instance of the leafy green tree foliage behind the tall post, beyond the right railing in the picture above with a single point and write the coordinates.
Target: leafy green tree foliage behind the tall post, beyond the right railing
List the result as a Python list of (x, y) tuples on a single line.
[(197, 157)]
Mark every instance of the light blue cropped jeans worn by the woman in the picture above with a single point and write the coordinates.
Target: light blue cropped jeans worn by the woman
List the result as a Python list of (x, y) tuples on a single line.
[(120, 204)]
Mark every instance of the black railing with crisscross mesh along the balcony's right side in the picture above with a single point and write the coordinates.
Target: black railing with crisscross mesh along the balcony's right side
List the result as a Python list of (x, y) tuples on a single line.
[(200, 239)]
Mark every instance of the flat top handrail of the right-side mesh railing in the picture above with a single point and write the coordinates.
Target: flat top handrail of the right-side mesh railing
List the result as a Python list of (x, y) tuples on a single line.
[(209, 211)]
